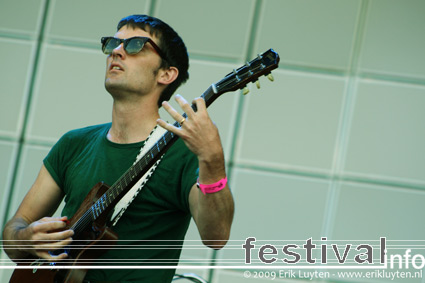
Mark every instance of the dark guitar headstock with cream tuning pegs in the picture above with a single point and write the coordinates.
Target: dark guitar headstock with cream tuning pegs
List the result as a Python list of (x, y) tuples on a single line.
[(263, 64)]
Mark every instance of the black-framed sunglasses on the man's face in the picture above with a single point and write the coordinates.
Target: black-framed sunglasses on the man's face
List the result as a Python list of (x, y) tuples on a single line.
[(132, 45)]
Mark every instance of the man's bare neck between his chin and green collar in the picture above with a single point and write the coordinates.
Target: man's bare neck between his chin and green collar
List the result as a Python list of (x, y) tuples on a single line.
[(132, 121)]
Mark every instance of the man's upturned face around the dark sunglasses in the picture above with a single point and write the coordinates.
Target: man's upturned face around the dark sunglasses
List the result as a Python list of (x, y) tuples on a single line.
[(132, 74)]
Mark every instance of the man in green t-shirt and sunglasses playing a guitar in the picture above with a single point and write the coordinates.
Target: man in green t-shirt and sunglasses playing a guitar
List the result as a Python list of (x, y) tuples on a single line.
[(146, 62)]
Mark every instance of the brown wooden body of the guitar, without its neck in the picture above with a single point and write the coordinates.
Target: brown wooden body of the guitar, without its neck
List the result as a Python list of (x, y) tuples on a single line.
[(90, 239)]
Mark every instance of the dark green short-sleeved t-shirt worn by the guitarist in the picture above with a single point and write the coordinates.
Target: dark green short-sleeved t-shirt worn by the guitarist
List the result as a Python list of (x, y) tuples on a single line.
[(152, 229)]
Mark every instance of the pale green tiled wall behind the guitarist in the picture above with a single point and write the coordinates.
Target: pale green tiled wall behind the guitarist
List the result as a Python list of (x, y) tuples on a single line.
[(333, 148)]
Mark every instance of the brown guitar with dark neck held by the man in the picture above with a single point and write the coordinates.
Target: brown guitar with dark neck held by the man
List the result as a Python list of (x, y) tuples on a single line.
[(90, 221)]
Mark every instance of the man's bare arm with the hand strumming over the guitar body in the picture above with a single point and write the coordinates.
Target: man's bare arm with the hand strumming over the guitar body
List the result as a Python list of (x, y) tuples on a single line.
[(32, 229)]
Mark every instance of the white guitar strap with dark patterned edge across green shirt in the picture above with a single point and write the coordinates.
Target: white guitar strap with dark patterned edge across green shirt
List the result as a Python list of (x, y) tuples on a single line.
[(123, 204)]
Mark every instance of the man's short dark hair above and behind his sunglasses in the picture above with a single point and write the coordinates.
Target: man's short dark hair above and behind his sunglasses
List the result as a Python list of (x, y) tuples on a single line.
[(169, 42)]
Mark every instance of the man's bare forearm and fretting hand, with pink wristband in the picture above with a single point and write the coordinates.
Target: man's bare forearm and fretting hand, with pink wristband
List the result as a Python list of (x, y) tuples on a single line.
[(213, 213)]
